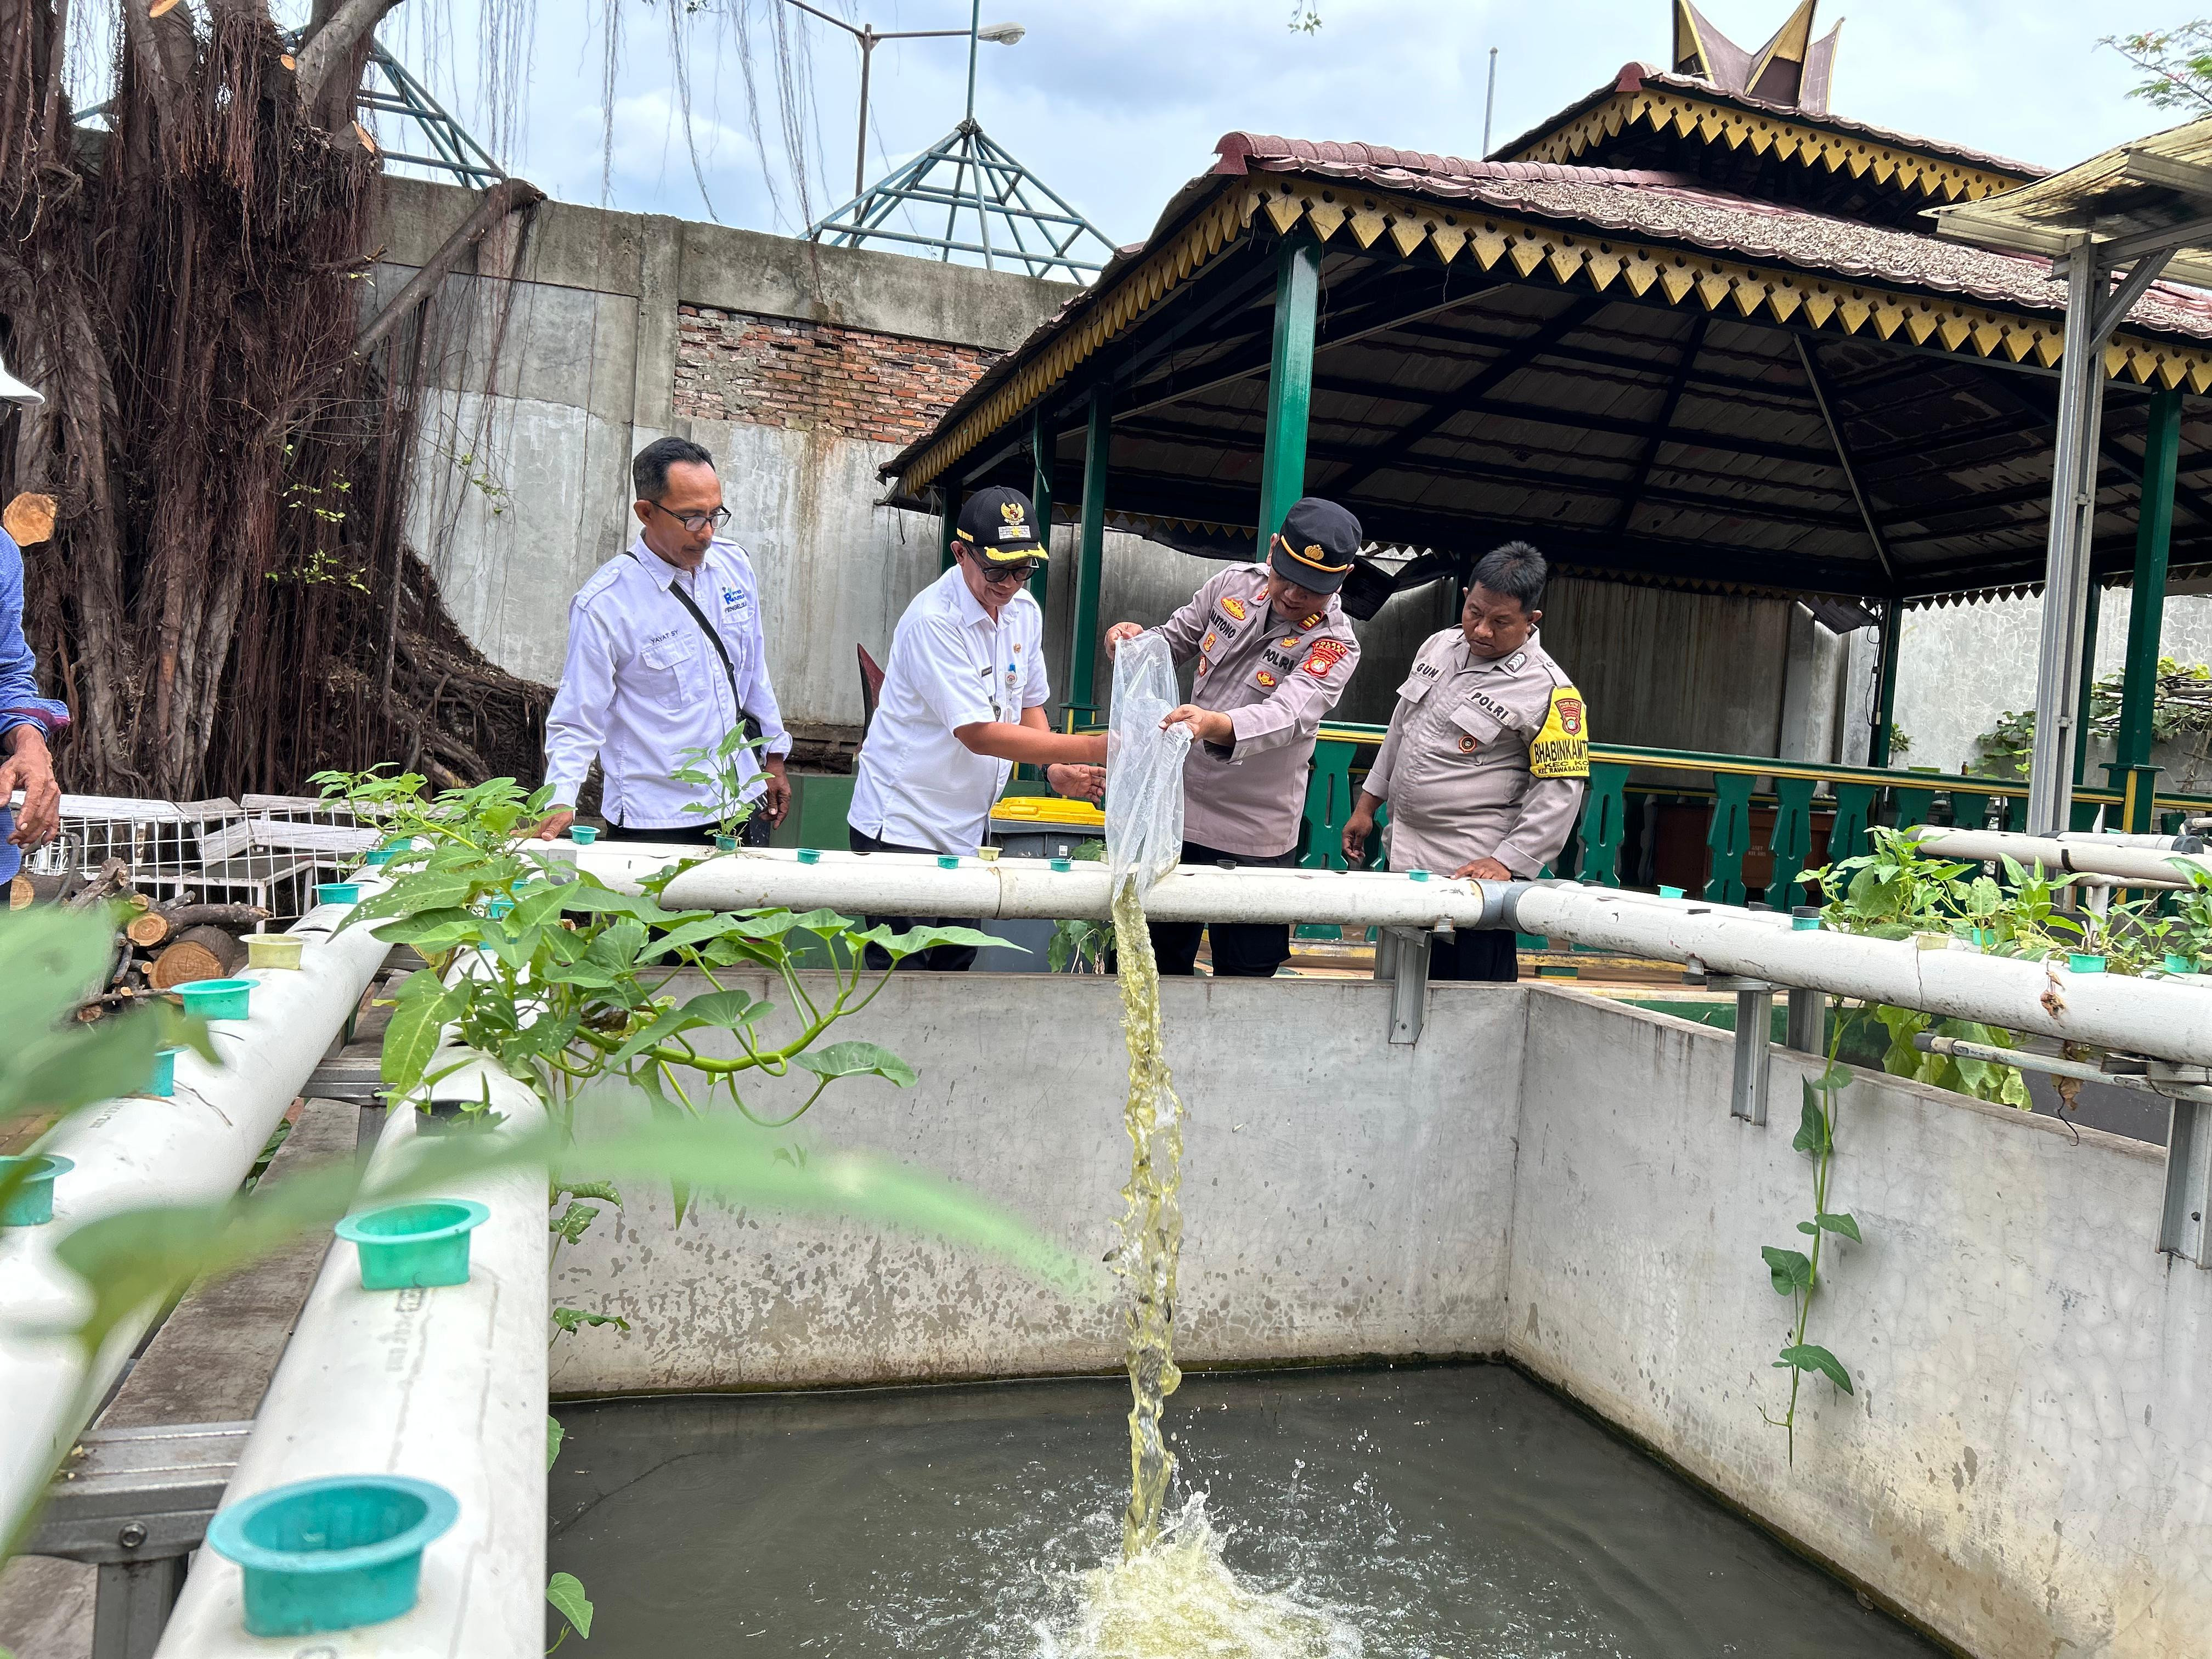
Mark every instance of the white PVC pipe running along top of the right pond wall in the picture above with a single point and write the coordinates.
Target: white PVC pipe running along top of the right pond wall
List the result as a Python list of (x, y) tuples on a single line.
[(2111, 1012)]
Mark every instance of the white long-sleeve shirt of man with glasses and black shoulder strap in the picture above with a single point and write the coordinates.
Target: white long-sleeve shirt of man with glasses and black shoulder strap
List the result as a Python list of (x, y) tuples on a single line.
[(643, 685)]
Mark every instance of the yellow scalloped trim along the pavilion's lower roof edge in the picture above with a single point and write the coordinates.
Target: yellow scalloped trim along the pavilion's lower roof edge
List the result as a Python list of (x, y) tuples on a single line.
[(1713, 280)]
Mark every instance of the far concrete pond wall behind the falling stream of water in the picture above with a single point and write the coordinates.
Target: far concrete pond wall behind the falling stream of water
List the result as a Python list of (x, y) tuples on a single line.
[(1342, 1198)]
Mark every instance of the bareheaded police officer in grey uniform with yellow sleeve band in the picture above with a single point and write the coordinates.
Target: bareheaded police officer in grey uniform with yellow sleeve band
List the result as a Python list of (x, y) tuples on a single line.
[(1488, 755)]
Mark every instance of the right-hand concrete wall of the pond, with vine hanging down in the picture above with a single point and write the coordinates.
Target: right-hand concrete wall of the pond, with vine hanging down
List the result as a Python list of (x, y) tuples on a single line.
[(2023, 1465)]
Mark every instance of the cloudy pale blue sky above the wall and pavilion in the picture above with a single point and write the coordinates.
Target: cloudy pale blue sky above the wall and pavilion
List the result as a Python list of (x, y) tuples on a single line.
[(1118, 103)]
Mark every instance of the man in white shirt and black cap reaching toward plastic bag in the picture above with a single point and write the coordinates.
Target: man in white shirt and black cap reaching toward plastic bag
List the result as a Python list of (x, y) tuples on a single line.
[(963, 700)]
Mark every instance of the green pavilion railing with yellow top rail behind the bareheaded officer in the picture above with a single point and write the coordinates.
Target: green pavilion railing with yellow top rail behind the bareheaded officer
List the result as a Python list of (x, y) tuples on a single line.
[(1740, 789)]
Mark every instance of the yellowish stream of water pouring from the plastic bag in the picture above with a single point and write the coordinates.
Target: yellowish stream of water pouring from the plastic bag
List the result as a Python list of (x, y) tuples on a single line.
[(1151, 1224)]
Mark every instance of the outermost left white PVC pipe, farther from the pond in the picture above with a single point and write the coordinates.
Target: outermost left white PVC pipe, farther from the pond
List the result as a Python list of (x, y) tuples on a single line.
[(140, 1151)]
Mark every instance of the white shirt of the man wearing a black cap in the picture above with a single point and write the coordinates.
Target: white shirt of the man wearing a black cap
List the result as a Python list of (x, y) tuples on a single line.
[(952, 665)]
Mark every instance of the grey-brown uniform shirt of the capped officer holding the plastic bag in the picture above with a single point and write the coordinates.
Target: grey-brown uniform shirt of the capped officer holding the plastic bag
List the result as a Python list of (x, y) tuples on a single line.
[(1275, 678)]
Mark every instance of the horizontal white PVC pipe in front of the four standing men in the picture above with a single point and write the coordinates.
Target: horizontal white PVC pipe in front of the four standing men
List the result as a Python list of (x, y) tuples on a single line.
[(890, 884)]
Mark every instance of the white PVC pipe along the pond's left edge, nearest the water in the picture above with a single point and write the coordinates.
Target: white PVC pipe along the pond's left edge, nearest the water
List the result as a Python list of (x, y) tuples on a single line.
[(444, 1386)]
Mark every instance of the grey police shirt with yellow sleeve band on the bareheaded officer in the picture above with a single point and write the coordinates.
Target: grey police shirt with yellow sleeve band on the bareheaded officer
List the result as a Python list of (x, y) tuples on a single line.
[(1485, 760)]
